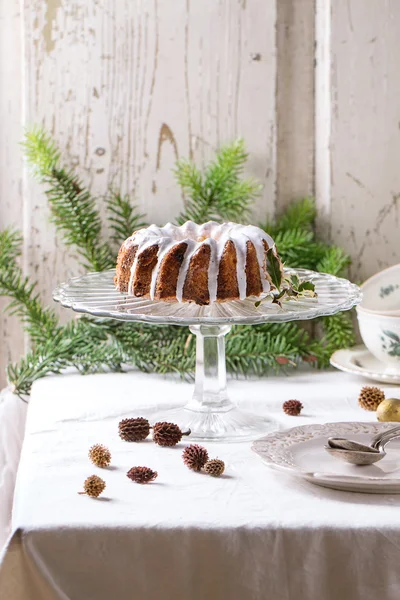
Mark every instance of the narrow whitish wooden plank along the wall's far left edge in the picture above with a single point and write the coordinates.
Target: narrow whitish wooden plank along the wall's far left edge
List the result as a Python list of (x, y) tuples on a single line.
[(11, 336)]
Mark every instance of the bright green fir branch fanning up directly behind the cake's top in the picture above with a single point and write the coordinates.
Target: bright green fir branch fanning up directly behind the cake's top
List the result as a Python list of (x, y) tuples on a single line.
[(220, 192)]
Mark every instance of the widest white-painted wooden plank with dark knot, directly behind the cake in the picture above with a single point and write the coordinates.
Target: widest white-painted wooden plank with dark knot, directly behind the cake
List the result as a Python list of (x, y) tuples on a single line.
[(127, 87)]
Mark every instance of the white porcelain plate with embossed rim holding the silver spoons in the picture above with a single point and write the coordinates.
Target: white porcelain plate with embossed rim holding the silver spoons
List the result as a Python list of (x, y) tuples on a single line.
[(300, 452)]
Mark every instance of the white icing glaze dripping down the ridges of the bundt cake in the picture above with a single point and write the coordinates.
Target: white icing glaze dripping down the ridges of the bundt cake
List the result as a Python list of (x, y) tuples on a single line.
[(213, 234)]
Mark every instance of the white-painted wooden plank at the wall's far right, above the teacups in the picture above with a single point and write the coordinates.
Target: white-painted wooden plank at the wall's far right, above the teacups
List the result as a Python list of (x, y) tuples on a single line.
[(365, 132)]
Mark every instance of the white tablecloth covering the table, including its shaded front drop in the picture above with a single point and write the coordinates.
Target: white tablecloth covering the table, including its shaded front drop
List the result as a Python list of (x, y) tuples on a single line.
[(253, 534)]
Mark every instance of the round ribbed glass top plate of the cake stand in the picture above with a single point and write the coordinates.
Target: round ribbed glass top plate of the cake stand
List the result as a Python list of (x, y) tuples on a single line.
[(95, 294)]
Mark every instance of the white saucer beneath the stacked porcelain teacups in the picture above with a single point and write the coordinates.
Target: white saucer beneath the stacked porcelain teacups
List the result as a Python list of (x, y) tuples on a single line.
[(360, 361)]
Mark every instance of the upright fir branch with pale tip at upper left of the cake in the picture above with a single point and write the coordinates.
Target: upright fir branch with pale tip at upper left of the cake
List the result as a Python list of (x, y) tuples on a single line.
[(73, 209)]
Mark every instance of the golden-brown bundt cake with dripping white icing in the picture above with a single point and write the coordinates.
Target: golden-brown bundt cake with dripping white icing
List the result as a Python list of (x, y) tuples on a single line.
[(206, 263)]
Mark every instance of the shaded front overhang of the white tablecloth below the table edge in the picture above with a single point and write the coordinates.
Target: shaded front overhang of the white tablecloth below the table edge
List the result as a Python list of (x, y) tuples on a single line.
[(214, 564)]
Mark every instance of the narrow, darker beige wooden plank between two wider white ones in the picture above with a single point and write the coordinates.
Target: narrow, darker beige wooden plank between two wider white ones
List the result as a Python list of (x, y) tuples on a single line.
[(295, 100)]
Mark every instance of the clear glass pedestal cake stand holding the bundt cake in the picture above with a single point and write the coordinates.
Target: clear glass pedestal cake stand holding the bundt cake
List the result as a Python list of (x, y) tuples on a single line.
[(210, 414)]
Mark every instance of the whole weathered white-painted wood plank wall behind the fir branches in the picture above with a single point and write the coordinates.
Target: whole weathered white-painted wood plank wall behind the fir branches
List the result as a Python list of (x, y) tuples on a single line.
[(127, 86)]
